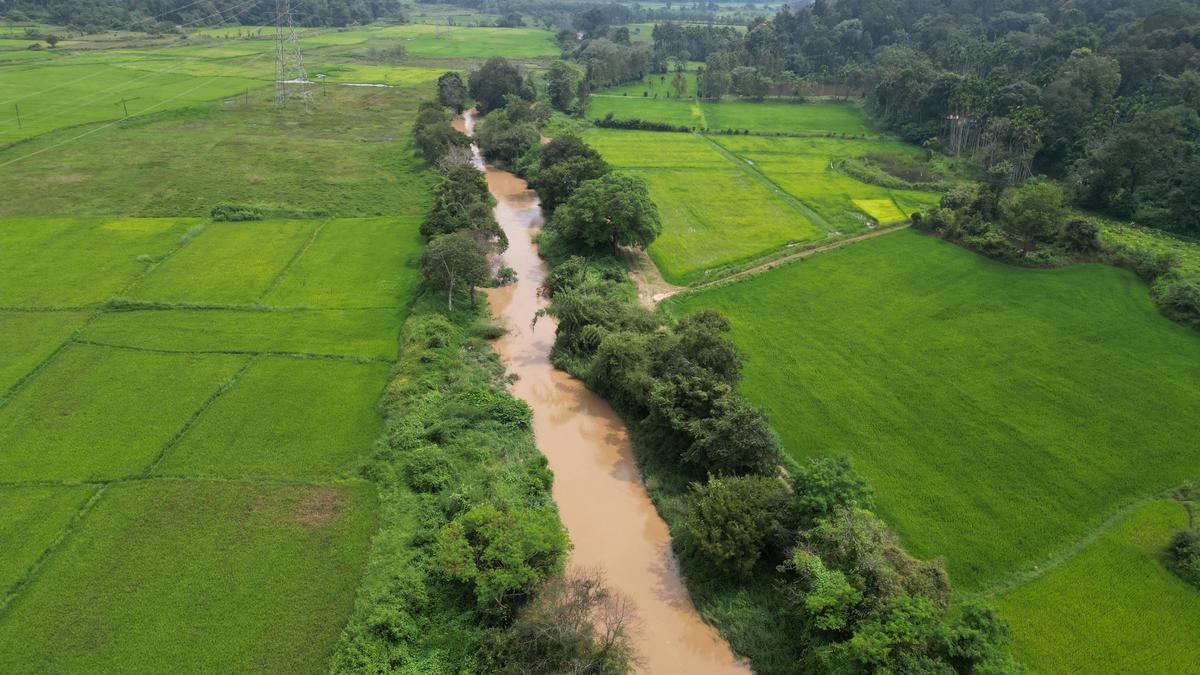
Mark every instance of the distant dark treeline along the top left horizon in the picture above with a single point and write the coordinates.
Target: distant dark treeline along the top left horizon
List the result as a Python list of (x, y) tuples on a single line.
[(163, 16)]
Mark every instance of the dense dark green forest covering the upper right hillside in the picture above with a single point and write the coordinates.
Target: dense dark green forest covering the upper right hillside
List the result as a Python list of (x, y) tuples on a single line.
[(1102, 95)]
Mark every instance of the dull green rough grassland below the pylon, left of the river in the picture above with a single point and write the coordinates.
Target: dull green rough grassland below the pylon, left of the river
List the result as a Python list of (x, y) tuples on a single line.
[(345, 159)]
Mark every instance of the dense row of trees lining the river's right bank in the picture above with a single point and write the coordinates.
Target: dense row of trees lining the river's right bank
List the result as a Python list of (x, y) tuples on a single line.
[(849, 599)]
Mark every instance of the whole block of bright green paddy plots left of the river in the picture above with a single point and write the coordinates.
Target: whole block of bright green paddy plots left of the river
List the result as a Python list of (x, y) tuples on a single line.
[(175, 479)]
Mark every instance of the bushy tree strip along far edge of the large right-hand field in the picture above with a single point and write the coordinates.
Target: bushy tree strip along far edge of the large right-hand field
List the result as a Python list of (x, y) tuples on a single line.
[(1030, 226)]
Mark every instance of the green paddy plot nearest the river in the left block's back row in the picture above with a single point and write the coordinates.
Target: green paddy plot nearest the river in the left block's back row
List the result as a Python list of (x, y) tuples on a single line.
[(356, 264)]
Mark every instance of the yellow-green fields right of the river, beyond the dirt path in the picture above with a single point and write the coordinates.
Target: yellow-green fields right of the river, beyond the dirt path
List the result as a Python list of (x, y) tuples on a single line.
[(730, 200)]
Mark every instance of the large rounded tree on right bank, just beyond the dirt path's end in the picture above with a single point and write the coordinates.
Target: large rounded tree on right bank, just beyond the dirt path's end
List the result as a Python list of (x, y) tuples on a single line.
[(613, 211)]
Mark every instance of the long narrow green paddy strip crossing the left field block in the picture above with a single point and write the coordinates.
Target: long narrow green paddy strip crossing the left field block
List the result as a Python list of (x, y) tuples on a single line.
[(365, 334)]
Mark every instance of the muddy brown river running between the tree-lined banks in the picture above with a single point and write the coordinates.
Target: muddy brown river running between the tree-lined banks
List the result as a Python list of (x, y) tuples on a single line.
[(601, 495)]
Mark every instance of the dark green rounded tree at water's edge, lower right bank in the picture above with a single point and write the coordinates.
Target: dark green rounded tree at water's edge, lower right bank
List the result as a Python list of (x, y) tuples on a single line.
[(731, 521)]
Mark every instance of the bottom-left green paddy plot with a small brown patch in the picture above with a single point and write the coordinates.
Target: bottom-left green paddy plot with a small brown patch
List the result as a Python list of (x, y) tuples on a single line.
[(203, 577)]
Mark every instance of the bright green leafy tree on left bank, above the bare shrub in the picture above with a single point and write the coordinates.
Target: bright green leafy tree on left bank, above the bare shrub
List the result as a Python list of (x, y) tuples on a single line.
[(502, 555)]
